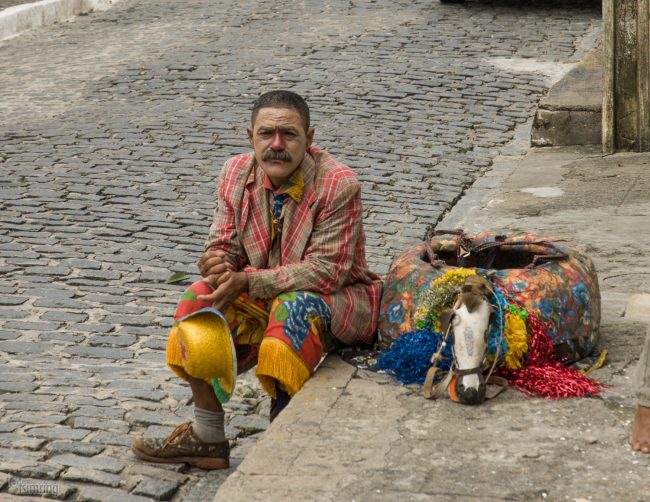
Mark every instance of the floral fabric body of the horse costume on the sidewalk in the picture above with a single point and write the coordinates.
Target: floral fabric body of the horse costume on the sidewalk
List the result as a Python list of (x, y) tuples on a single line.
[(545, 276)]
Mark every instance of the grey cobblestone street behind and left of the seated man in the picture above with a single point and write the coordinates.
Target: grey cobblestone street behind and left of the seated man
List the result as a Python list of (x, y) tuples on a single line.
[(113, 129)]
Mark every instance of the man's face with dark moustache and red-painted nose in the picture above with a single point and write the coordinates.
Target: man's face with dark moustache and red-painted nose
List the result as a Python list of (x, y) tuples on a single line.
[(279, 139)]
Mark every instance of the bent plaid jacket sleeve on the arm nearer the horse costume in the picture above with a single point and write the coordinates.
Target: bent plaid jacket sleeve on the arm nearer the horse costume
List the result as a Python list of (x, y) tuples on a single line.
[(330, 253)]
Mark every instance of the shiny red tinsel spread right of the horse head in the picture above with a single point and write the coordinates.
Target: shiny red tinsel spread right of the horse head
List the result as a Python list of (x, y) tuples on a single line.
[(542, 375)]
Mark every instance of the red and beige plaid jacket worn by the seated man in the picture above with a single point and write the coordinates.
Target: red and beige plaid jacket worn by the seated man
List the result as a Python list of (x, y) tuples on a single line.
[(322, 242)]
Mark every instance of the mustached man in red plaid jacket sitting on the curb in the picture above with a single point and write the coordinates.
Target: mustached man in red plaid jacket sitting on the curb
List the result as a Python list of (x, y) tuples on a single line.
[(284, 266)]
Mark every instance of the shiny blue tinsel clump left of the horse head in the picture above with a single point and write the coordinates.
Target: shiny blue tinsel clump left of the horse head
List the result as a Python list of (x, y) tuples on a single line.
[(409, 358)]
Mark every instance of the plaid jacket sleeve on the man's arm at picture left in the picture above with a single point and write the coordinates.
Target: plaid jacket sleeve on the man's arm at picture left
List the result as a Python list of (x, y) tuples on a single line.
[(223, 233)]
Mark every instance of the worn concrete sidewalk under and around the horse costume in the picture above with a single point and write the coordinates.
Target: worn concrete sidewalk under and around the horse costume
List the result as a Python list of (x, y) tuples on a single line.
[(353, 435)]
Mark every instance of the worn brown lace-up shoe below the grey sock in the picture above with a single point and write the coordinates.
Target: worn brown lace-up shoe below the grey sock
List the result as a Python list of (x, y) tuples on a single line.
[(183, 445)]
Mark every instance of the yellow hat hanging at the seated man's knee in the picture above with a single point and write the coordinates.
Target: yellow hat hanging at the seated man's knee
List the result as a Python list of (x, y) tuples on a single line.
[(207, 350)]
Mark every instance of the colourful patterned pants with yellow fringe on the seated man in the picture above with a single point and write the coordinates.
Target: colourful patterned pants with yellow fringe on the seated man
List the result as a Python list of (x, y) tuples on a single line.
[(286, 337)]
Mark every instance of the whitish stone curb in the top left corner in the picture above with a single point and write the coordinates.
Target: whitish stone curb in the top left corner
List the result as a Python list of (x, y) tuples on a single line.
[(20, 18)]
